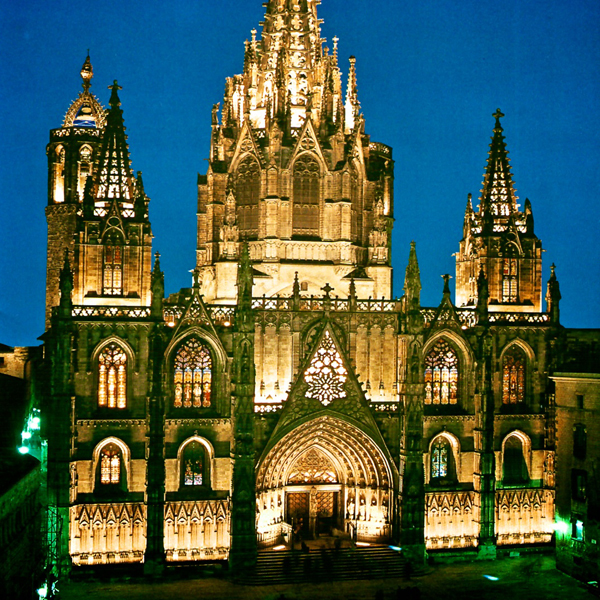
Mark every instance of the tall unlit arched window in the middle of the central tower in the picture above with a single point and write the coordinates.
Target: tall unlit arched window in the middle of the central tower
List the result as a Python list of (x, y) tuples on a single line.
[(306, 185)]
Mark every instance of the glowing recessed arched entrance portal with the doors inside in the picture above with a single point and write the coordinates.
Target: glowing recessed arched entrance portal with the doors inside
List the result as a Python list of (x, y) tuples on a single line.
[(323, 476)]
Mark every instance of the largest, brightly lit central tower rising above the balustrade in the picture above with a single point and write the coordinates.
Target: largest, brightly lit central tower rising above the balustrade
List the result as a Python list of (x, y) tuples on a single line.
[(293, 172)]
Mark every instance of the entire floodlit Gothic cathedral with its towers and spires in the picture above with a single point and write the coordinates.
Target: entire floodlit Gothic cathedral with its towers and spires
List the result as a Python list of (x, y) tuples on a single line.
[(287, 388)]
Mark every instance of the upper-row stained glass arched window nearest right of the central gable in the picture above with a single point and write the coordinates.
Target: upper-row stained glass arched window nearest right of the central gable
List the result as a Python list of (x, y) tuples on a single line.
[(441, 374)]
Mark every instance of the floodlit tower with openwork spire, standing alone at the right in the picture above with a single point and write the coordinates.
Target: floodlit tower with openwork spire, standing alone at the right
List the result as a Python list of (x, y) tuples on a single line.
[(498, 239)]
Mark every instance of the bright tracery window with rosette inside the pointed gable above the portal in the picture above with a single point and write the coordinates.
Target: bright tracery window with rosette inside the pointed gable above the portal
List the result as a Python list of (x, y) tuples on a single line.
[(326, 373)]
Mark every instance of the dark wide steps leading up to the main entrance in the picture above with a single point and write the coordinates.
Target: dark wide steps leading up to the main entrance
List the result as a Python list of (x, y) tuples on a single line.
[(275, 567)]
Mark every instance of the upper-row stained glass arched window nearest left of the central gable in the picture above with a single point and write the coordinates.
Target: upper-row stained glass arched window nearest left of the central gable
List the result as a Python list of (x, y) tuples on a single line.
[(193, 375)]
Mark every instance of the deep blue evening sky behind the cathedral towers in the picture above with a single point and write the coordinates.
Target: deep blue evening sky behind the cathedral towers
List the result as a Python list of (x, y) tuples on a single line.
[(430, 74)]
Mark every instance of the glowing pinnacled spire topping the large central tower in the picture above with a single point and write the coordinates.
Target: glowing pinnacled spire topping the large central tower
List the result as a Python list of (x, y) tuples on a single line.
[(288, 73)]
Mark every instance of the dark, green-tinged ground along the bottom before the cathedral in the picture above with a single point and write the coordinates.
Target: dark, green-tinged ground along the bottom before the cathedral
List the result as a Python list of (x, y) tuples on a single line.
[(532, 577)]
